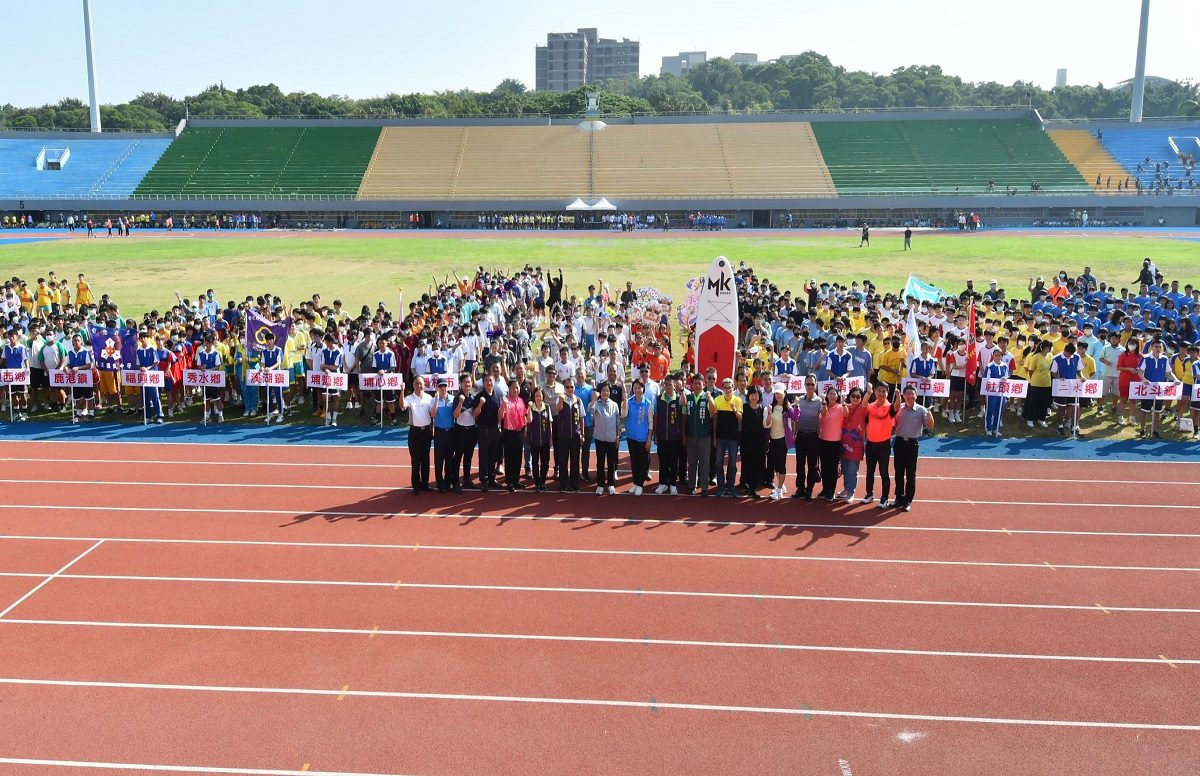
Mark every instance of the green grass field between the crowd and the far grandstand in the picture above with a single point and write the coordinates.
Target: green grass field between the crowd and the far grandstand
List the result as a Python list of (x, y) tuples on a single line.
[(143, 273)]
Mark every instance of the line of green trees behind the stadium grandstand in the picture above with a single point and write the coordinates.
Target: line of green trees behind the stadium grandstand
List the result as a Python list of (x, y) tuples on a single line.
[(807, 82)]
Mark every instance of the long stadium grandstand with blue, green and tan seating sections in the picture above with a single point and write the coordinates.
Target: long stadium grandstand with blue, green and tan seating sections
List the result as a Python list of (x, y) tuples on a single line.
[(1007, 165)]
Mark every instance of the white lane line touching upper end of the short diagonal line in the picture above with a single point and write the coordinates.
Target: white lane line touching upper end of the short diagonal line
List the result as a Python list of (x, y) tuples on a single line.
[(649, 554)]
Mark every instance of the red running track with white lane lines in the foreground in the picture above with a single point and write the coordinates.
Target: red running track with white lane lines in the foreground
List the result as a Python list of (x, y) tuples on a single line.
[(352, 628)]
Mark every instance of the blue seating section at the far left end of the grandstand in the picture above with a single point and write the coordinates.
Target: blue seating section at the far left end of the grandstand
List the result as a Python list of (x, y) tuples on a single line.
[(97, 167)]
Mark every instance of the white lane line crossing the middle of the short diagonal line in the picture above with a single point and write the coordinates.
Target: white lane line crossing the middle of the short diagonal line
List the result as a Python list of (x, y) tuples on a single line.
[(615, 592)]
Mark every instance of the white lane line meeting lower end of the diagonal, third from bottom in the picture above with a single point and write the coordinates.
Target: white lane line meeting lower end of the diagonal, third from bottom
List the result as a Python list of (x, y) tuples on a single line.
[(597, 640)]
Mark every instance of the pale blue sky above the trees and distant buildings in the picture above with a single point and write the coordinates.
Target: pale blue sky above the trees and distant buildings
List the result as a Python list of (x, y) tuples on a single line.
[(364, 49)]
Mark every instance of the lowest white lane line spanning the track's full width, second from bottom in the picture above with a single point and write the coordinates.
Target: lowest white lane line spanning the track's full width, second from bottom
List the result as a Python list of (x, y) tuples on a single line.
[(593, 702)]
